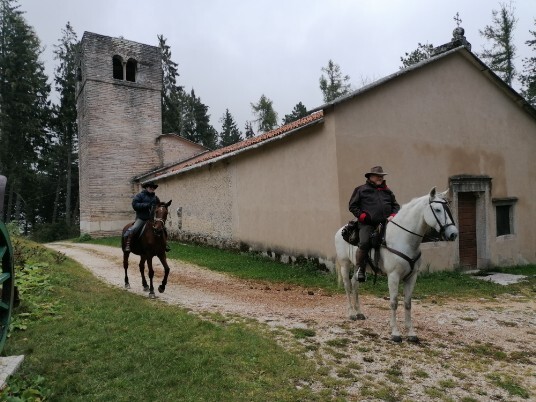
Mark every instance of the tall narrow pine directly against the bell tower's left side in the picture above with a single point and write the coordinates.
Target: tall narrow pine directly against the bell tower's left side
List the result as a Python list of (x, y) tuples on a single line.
[(65, 126)]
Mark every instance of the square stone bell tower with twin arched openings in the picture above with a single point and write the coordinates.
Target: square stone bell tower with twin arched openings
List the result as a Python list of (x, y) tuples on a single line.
[(119, 120)]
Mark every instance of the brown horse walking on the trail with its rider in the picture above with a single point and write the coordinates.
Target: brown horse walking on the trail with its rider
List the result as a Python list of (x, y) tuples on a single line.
[(149, 243)]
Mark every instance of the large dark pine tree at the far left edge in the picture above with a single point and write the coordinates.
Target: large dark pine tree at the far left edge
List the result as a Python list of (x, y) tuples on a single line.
[(24, 110)]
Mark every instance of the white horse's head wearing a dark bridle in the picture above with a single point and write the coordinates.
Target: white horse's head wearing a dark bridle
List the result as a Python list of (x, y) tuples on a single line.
[(439, 216)]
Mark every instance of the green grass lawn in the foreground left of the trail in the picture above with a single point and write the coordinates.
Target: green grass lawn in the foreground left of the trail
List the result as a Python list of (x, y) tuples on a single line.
[(84, 340)]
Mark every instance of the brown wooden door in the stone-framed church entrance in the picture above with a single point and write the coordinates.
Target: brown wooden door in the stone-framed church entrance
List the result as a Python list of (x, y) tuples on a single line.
[(467, 229)]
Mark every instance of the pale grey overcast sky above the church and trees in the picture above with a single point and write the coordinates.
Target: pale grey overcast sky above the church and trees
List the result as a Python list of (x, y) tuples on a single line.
[(233, 51)]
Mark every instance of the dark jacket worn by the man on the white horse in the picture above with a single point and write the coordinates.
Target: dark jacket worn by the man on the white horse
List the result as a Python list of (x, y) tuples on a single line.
[(377, 203)]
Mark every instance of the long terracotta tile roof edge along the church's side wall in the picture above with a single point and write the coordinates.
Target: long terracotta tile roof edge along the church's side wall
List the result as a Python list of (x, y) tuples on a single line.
[(231, 149)]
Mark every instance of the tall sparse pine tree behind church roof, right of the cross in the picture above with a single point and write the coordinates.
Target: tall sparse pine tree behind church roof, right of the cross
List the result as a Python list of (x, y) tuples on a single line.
[(500, 56)]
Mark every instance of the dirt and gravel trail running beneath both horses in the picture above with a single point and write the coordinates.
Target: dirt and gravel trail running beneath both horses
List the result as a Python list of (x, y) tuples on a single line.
[(448, 330)]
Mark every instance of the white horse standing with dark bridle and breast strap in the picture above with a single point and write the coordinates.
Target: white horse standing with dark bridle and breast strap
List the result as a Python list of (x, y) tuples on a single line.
[(400, 256)]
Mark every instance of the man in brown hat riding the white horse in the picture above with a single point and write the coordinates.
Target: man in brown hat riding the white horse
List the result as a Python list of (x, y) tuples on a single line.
[(371, 203)]
